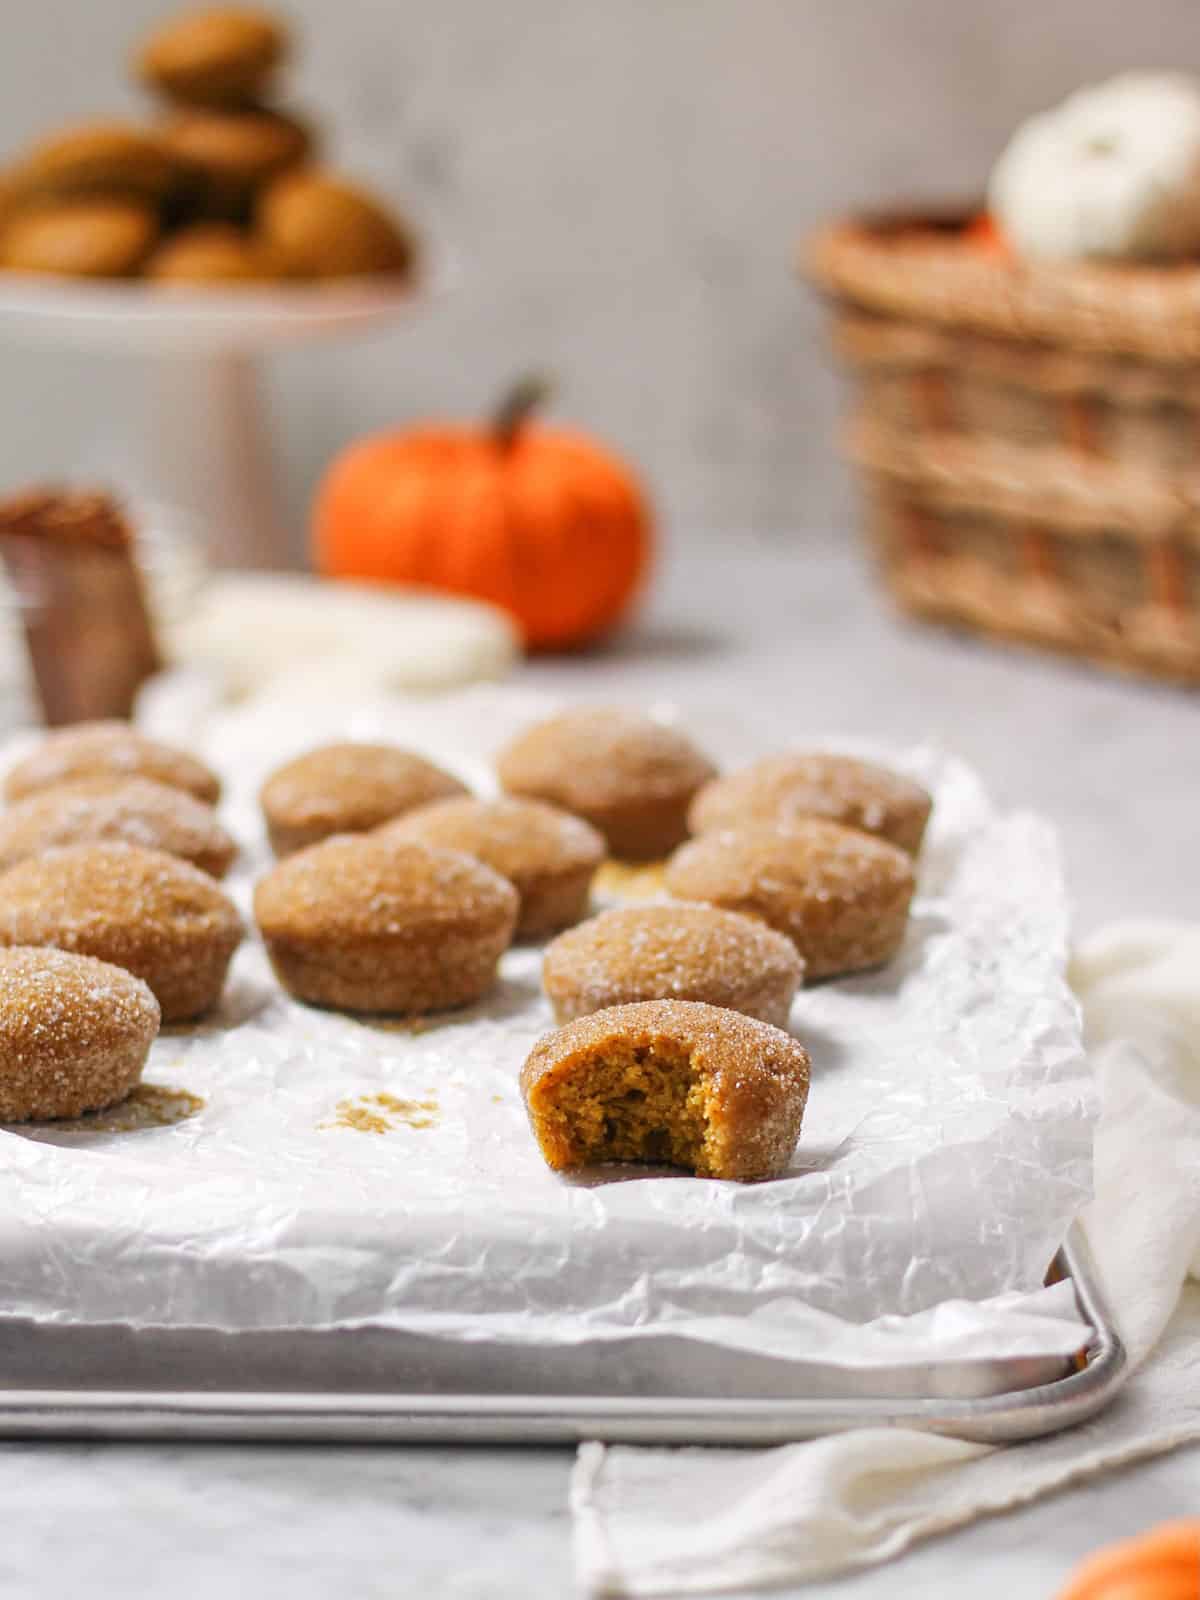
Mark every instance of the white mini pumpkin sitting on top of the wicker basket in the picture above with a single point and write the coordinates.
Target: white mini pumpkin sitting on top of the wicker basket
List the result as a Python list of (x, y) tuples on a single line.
[(1114, 172)]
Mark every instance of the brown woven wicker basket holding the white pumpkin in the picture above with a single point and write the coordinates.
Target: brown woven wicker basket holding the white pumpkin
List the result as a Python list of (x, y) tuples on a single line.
[(1030, 438)]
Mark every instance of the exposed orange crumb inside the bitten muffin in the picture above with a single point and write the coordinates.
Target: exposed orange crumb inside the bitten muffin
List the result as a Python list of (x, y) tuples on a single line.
[(630, 1103)]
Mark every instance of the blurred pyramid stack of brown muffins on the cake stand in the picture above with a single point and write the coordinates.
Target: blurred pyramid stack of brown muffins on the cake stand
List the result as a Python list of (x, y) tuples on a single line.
[(222, 190)]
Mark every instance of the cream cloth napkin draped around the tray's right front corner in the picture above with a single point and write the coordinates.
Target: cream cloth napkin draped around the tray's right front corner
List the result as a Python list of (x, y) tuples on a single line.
[(674, 1522)]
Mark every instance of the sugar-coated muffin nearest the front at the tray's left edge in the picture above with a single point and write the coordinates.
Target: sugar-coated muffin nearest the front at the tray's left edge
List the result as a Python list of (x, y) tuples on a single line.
[(74, 1034)]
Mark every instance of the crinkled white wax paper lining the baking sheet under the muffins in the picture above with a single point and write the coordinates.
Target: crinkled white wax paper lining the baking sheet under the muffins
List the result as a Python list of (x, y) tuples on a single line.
[(351, 1170)]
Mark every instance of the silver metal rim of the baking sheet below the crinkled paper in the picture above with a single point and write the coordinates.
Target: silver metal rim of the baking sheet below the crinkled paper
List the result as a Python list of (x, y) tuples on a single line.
[(366, 1386)]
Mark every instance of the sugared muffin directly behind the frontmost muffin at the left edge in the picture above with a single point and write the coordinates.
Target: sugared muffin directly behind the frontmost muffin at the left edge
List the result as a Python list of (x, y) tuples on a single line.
[(159, 918)]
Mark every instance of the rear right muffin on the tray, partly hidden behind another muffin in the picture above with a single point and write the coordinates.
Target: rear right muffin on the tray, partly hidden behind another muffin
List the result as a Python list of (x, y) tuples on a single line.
[(838, 788)]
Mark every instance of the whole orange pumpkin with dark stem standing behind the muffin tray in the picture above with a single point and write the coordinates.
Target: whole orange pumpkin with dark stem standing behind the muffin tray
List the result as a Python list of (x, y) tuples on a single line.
[(543, 522)]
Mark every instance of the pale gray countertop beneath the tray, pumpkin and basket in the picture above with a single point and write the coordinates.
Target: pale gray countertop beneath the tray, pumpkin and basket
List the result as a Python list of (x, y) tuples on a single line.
[(798, 634)]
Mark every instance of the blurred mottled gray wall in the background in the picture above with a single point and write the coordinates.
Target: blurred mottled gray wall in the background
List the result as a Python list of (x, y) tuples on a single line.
[(626, 185)]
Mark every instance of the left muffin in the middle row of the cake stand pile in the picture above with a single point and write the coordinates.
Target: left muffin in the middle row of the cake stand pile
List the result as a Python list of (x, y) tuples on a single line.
[(102, 161)]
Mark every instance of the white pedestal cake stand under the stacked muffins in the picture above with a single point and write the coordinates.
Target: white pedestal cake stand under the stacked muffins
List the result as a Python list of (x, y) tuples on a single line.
[(193, 433)]
